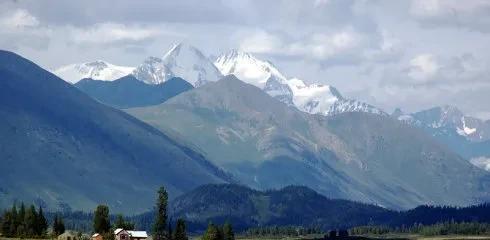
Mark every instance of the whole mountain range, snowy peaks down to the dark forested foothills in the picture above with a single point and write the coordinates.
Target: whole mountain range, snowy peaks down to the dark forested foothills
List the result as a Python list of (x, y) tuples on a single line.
[(262, 129)]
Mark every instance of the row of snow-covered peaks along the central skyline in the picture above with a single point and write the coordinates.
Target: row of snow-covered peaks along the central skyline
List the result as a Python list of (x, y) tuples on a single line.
[(190, 64)]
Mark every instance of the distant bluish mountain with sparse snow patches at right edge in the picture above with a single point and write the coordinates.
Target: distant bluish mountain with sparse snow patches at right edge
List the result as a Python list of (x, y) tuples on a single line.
[(448, 118)]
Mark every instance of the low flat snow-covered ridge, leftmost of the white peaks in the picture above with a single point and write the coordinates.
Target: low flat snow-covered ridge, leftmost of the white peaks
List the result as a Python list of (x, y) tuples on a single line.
[(97, 70)]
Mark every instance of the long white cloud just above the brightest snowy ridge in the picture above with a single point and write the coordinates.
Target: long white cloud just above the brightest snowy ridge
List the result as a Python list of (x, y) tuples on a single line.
[(345, 45)]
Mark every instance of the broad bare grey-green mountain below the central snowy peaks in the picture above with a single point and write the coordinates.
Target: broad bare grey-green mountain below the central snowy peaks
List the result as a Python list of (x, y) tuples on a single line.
[(360, 156)]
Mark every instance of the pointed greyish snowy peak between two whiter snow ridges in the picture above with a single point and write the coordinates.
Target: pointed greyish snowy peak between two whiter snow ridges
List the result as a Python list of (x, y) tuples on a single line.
[(181, 60)]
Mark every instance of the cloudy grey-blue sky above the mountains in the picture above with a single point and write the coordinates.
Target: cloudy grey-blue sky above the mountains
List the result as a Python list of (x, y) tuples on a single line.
[(412, 54)]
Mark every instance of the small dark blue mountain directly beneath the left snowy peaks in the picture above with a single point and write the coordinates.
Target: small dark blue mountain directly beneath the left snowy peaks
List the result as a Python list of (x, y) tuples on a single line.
[(127, 92)]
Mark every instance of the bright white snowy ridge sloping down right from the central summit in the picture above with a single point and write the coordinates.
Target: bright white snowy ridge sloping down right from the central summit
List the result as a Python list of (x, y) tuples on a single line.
[(312, 98)]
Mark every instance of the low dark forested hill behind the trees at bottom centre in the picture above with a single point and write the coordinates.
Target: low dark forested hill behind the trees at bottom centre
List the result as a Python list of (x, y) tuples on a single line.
[(292, 205)]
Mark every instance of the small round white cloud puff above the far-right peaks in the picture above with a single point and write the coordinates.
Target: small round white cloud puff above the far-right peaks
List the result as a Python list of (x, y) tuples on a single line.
[(423, 67)]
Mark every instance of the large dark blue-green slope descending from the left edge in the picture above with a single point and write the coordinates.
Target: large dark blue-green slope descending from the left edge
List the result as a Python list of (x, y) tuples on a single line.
[(61, 149)]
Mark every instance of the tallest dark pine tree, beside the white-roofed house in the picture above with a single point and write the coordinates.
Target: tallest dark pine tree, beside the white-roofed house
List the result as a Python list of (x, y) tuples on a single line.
[(160, 224)]
